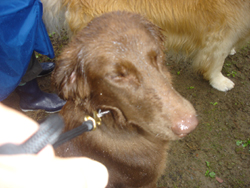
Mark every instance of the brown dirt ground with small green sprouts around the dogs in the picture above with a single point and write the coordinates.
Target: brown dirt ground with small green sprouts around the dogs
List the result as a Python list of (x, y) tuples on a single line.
[(219, 149)]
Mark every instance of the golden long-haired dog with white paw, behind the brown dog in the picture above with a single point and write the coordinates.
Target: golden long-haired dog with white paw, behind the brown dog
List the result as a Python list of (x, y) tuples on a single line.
[(204, 30)]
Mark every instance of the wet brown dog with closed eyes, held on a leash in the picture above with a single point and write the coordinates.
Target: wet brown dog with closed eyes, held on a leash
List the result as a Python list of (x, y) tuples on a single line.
[(116, 63)]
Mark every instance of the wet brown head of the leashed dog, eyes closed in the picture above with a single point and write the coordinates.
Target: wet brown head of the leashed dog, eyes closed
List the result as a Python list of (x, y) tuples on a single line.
[(116, 63)]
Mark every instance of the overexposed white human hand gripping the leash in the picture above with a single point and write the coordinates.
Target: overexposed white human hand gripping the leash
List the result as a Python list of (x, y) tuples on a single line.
[(43, 169)]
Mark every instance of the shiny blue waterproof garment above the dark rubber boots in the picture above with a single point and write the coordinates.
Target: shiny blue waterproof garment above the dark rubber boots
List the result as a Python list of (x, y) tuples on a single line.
[(21, 32)]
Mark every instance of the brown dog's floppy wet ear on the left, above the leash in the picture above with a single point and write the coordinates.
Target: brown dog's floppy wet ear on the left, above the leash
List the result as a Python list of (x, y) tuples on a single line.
[(68, 76)]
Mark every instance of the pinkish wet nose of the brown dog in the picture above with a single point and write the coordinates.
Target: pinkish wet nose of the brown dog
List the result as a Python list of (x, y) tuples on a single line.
[(186, 125)]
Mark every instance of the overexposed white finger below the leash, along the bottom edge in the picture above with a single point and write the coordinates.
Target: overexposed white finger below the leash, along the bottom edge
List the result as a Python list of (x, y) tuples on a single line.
[(31, 171)]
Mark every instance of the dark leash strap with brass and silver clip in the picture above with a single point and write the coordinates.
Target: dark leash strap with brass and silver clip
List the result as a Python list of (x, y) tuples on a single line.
[(49, 132)]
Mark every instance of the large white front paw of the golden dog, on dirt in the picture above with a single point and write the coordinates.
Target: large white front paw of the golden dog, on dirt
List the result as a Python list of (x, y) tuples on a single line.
[(221, 83)]
